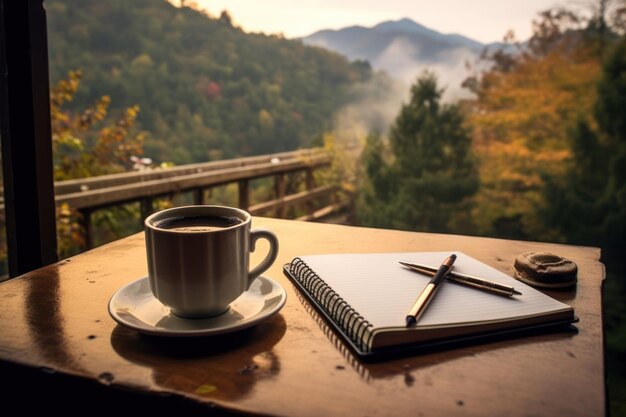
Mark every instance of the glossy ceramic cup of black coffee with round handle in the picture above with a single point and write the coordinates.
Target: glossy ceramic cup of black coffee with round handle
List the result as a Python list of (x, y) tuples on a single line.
[(198, 257)]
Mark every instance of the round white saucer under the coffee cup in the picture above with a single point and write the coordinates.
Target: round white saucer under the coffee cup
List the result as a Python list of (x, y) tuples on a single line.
[(134, 306)]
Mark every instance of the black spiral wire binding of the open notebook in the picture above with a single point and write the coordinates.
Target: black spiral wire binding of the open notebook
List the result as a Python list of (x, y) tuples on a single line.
[(343, 315)]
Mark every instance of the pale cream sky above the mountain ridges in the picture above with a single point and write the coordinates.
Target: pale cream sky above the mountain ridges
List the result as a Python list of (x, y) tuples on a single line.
[(482, 20)]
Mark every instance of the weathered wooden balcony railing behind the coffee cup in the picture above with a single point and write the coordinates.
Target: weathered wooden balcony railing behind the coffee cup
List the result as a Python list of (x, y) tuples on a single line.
[(94, 193)]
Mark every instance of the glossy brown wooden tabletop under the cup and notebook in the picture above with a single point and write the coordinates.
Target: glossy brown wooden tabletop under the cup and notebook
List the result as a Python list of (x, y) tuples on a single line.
[(58, 343)]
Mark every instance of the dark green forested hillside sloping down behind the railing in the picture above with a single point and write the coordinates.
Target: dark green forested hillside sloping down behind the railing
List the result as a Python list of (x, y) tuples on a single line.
[(206, 90)]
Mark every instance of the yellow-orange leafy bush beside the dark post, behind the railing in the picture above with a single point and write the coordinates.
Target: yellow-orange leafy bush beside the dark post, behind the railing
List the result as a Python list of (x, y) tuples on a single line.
[(85, 144)]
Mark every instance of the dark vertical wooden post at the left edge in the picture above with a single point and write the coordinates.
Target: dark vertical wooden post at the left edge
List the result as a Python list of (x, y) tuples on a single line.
[(26, 136)]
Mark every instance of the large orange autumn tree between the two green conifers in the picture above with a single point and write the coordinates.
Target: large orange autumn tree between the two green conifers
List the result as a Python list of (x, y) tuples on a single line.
[(520, 124)]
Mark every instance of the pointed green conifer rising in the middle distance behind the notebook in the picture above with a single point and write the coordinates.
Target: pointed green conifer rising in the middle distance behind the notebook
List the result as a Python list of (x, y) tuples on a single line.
[(429, 175)]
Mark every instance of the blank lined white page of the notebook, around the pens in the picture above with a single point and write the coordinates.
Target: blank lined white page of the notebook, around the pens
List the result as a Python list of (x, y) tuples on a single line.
[(383, 291)]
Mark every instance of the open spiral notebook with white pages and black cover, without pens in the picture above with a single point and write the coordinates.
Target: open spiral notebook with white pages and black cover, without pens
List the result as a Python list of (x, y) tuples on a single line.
[(365, 297)]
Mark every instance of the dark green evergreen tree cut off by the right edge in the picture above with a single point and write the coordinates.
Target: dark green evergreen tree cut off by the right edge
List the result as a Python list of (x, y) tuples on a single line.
[(594, 186)]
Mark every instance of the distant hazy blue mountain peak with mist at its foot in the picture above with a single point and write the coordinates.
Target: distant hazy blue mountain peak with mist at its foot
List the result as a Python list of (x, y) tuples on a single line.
[(403, 49)]
